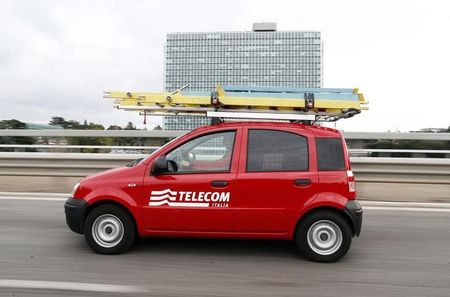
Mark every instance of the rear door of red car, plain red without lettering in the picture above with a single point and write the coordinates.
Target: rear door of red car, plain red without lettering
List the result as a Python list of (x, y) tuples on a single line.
[(276, 177)]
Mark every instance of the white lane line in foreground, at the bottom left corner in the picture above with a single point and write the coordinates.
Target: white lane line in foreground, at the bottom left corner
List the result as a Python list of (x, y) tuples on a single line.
[(69, 286)]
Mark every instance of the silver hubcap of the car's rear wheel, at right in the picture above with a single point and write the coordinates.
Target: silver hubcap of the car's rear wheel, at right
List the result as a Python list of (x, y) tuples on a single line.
[(324, 237)]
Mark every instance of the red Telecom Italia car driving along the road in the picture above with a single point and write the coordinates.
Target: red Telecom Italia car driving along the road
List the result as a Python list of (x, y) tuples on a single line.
[(260, 180)]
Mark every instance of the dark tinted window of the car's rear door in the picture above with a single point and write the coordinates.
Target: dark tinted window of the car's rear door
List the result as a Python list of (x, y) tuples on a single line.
[(270, 150)]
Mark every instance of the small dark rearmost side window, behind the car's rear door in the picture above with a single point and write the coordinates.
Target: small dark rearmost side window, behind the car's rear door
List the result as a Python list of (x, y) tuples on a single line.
[(330, 154)]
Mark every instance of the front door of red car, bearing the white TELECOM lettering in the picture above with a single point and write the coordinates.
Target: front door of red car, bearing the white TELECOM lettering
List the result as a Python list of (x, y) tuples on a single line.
[(197, 194)]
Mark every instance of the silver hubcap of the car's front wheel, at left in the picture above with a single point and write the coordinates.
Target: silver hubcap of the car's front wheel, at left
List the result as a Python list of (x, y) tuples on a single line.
[(107, 230)]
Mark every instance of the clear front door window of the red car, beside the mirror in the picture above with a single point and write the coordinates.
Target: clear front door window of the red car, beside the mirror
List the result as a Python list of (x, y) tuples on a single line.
[(207, 153)]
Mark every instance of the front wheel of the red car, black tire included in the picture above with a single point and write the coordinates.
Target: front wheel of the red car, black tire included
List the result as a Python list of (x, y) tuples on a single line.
[(109, 229)]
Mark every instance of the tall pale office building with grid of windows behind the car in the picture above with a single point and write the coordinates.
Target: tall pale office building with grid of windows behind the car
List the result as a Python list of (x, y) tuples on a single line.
[(262, 57)]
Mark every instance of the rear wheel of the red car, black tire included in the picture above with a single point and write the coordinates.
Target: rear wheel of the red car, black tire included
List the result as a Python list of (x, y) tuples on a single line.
[(323, 236)]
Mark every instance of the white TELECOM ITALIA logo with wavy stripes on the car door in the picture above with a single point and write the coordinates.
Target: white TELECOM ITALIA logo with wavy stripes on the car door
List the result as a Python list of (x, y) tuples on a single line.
[(189, 199)]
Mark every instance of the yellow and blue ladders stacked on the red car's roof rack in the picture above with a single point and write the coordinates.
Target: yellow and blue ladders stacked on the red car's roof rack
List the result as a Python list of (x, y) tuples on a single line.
[(306, 105)]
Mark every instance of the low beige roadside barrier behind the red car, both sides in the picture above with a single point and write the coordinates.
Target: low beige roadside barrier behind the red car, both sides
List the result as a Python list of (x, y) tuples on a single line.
[(390, 179)]
